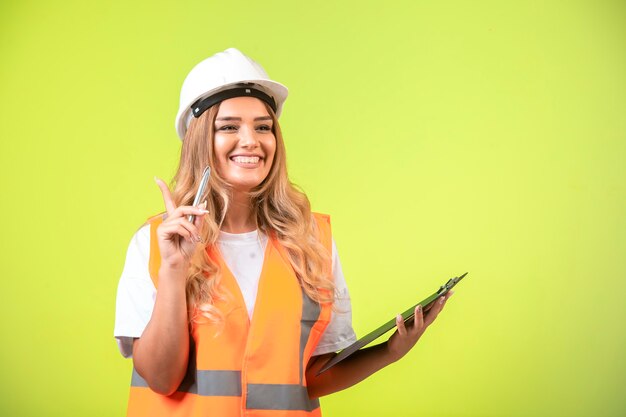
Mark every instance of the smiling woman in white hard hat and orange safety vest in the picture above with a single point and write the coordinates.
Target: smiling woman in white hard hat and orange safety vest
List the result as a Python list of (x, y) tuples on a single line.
[(251, 301)]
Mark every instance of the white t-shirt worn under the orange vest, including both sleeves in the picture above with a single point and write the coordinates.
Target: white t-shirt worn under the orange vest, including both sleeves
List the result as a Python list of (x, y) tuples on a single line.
[(243, 254)]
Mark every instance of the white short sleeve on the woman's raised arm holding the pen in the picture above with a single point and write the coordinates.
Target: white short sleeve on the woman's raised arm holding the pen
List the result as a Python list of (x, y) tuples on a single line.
[(136, 293)]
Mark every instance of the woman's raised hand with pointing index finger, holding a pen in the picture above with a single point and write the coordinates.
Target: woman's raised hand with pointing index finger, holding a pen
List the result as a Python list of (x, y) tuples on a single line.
[(177, 236)]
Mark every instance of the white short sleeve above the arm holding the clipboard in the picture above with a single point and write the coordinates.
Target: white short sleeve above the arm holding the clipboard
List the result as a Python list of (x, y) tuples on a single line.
[(339, 333)]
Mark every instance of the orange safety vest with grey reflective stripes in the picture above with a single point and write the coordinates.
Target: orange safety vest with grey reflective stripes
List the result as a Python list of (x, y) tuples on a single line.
[(252, 368)]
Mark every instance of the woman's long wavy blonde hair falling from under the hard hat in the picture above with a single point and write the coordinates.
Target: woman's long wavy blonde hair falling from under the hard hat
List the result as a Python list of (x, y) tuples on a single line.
[(280, 210)]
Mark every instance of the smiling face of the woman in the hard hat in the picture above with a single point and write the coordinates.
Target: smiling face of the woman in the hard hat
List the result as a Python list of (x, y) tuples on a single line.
[(244, 144)]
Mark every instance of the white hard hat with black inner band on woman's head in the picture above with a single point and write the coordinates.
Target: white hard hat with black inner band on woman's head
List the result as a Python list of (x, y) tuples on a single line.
[(221, 76)]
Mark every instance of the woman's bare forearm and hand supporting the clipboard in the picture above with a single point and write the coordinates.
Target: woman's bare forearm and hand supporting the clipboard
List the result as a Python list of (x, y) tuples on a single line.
[(365, 362)]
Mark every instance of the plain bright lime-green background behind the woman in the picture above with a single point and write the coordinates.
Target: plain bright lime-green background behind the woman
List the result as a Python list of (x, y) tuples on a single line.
[(442, 137)]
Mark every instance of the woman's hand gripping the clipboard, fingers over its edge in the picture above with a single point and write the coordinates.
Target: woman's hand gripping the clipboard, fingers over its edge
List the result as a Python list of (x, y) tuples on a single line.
[(405, 336)]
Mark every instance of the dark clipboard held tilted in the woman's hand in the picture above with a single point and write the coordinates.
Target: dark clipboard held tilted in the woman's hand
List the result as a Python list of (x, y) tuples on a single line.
[(408, 315)]
